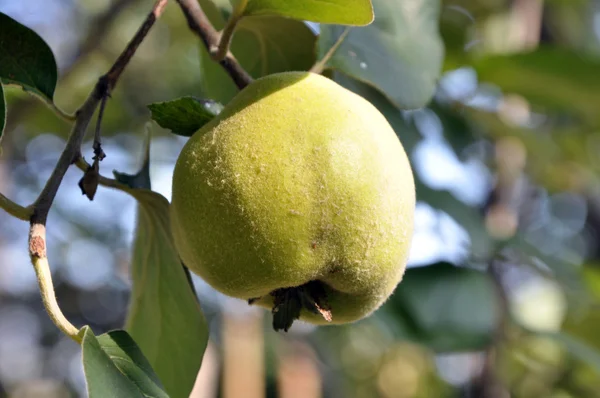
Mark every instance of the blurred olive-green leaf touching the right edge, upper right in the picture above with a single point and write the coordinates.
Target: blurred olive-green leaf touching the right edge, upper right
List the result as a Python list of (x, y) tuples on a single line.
[(553, 78)]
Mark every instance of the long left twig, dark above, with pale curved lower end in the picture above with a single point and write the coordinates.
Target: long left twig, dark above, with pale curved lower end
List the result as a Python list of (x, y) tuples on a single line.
[(70, 155)]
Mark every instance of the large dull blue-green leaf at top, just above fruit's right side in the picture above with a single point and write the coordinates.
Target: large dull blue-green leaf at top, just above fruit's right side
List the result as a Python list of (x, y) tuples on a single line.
[(400, 53)]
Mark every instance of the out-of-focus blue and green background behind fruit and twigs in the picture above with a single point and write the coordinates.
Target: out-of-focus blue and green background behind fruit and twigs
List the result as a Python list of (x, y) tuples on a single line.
[(502, 297)]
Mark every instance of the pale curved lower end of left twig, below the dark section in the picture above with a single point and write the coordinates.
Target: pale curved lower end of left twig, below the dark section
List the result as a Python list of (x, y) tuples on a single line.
[(37, 250)]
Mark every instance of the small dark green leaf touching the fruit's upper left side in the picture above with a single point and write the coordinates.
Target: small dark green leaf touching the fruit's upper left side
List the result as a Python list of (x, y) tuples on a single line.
[(184, 116)]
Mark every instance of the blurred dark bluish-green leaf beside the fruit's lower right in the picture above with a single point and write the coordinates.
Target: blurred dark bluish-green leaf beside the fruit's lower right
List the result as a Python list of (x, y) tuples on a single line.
[(447, 308)]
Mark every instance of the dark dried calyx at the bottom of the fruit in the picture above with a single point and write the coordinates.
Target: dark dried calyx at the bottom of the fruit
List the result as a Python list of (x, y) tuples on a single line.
[(289, 302)]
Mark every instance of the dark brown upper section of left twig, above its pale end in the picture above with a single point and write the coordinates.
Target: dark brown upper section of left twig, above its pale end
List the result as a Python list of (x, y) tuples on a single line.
[(72, 150)]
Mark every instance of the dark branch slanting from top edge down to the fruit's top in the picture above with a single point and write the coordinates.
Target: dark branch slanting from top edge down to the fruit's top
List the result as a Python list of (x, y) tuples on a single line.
[(199, 24)]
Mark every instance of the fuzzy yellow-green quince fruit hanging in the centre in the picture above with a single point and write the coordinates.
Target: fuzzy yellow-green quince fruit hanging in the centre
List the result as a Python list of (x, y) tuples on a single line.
[(297, 179)]
